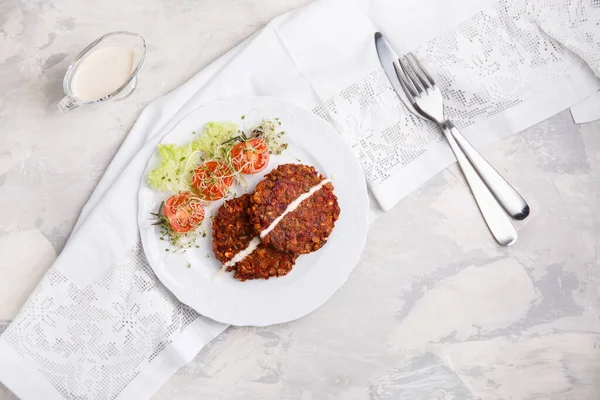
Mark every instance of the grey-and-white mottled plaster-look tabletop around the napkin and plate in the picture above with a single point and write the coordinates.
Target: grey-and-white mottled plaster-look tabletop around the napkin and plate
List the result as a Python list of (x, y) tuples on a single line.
[(434, 310)]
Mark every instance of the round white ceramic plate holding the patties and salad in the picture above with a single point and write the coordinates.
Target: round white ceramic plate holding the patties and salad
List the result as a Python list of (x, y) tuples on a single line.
[(315, 277)]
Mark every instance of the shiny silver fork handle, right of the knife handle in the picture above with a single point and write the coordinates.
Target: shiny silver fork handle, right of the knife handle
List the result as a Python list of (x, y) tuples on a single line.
[(508, 197)]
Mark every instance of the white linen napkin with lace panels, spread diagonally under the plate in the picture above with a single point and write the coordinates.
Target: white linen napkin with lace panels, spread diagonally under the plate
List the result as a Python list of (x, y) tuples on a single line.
[(100, 325)]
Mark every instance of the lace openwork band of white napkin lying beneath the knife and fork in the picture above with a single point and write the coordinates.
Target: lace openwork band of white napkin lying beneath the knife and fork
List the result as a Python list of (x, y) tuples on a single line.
[(493, 61)]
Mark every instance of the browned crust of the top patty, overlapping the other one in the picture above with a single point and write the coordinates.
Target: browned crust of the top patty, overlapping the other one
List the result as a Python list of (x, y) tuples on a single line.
[(307, 228)]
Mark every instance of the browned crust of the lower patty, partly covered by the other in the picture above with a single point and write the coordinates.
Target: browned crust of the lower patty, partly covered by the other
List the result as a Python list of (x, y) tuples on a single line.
[(233, 231)]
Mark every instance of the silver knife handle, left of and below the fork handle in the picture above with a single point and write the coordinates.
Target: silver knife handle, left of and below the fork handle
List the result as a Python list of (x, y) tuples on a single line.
[(493, 214)]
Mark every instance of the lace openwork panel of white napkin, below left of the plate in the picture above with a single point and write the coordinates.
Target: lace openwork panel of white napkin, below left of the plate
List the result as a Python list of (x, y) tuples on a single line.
[(94, 341)]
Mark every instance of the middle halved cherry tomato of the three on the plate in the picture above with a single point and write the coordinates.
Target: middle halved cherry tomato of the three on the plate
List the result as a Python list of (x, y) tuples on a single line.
[(213, 180)]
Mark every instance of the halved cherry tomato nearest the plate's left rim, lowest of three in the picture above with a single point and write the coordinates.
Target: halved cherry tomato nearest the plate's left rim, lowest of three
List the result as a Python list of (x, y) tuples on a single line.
[(184, 212)]
